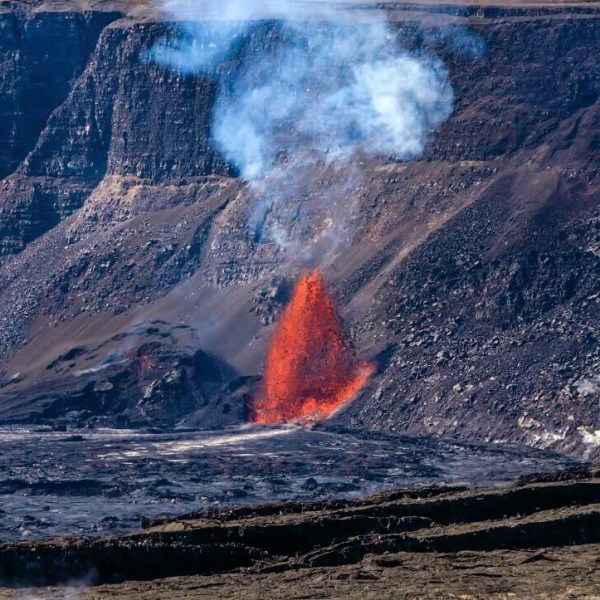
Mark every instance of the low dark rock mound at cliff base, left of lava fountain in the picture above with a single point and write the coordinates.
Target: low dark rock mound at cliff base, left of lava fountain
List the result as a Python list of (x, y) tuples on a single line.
[(152, 385)]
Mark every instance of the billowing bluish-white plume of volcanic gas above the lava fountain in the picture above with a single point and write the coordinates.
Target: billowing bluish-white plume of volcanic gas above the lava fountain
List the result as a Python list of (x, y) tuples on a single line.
[(326, 84)]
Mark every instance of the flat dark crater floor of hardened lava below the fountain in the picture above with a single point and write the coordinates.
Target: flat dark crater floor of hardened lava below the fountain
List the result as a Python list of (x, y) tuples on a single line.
[(107, 481)]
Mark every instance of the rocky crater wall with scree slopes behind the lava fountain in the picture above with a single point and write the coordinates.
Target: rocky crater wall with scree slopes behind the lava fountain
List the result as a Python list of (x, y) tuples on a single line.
[(133, 292)]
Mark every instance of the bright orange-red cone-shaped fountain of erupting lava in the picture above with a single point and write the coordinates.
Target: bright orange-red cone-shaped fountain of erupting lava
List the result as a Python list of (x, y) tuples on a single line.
[(310, 371)]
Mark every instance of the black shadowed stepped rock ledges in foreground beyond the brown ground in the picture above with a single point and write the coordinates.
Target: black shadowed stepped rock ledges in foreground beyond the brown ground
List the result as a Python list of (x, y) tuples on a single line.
[(279, 538)]
